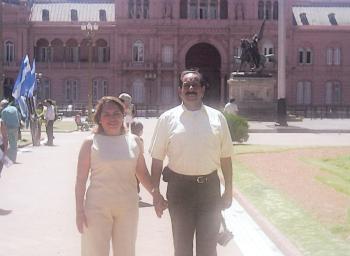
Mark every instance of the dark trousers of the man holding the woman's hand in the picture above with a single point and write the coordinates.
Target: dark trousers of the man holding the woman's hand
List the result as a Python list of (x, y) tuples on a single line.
[(194, 208)]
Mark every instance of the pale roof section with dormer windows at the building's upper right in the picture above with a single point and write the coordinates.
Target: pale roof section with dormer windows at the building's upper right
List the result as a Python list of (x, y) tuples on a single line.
[(321, 15)]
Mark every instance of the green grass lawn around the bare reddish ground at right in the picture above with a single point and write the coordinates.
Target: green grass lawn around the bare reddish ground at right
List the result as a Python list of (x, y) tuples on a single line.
[(310, 236)]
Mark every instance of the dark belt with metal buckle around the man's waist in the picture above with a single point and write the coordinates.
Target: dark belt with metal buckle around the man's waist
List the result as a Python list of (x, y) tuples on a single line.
[(169, 175)]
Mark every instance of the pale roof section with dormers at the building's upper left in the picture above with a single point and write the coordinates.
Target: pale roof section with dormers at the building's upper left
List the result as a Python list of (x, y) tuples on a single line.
[(61, 12)]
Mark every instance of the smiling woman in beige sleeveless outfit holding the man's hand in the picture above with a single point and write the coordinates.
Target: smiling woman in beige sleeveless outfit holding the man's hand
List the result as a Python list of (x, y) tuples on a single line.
[(110, 209)]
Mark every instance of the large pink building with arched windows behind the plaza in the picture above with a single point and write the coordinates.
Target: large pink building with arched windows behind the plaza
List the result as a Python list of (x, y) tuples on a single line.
[(141, 46)]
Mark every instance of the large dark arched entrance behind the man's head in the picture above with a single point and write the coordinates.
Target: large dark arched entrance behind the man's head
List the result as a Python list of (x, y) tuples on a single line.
[(207, 59)]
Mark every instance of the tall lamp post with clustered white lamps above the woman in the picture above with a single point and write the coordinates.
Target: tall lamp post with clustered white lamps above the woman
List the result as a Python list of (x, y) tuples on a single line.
[(90, 31)]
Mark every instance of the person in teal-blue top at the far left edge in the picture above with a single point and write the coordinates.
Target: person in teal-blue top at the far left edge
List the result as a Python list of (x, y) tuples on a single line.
[(11, 119)]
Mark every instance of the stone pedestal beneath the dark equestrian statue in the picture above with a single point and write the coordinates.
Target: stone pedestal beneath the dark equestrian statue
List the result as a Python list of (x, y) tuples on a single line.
[(255, 93)]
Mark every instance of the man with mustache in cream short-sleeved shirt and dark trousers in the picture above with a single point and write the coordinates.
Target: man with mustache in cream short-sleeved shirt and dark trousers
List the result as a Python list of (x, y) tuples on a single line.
[(197, 142)]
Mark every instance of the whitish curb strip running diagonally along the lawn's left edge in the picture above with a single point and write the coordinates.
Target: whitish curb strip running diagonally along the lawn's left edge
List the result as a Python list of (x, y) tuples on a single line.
[(286, 247)]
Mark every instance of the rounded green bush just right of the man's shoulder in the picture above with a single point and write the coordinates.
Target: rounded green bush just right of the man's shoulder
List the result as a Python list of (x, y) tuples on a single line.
[(238, 127)]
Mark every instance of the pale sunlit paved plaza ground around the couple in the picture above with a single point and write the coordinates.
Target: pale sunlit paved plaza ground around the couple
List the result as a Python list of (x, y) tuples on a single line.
[(37, 208)]
